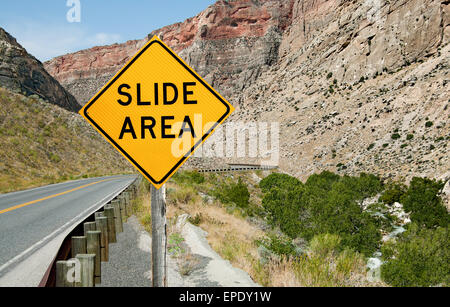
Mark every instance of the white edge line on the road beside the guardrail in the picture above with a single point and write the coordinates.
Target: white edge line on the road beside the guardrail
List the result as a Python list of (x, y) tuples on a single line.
[(72, 222)]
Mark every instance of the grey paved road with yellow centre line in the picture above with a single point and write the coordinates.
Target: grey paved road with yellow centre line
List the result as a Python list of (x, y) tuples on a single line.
[(31, 219)]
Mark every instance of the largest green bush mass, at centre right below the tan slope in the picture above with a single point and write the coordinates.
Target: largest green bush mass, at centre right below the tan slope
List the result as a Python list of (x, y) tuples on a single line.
[(326, 203)]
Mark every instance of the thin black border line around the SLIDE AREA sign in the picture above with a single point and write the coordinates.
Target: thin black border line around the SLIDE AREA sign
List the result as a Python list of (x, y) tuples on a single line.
[(120, 148)]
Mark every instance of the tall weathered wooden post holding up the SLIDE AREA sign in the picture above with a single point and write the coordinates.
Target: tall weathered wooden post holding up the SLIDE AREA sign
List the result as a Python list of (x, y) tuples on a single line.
[(159, 240)]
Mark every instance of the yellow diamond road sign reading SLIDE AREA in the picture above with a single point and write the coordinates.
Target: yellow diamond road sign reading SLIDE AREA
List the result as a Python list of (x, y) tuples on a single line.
[(156, 111)]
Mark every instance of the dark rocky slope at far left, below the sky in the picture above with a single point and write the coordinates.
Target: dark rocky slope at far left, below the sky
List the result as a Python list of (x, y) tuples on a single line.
[(22, 73)]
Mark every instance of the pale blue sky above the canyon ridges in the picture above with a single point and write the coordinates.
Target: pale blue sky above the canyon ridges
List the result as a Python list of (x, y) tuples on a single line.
[(49, 28)]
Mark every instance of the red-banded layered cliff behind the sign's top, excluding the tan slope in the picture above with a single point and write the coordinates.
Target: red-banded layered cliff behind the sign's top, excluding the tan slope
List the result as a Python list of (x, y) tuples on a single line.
[(228, 39)]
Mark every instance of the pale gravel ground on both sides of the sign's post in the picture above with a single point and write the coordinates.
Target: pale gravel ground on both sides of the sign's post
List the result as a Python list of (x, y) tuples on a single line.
[(129, 262)]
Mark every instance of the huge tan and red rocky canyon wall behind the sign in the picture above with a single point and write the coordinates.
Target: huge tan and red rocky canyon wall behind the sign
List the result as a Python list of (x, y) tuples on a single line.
[(356, 85)]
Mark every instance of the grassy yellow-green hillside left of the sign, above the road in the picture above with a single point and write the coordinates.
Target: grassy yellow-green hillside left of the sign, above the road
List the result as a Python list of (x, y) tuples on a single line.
[(42, 144)]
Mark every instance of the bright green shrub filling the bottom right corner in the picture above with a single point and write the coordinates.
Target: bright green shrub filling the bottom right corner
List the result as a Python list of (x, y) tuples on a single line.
[(420, 258)]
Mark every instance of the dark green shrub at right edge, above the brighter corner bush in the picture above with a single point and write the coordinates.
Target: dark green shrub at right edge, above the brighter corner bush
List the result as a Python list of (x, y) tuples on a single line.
[(423, 201)]
